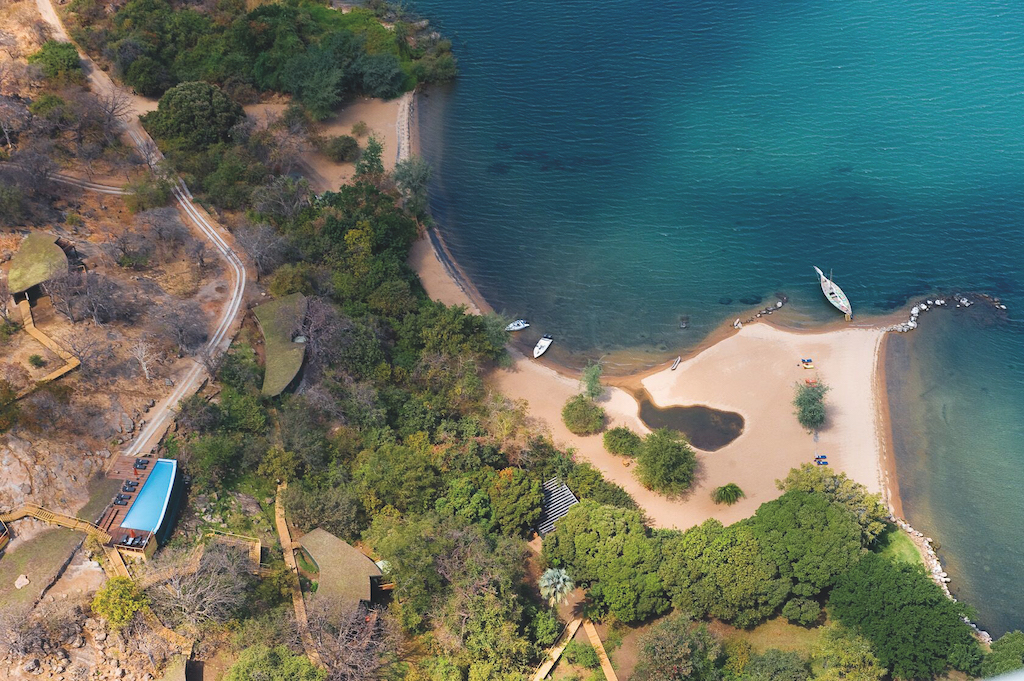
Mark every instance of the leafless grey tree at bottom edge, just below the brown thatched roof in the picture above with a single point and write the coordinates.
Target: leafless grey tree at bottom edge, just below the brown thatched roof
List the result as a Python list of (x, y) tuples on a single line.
[(356, 645)]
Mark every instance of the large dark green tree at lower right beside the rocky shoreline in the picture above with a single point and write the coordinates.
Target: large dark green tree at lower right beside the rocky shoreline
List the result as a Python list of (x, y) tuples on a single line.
[(915, 630)]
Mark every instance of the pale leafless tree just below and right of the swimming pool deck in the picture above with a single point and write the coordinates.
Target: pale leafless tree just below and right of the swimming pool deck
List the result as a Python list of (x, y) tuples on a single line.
[(196, 592)]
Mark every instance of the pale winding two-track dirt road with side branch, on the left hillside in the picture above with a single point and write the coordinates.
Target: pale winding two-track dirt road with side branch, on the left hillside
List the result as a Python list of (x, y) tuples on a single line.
[(163, 414)]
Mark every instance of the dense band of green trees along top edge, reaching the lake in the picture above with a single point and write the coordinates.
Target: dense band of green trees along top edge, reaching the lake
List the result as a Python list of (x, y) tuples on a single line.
[(318, 55)]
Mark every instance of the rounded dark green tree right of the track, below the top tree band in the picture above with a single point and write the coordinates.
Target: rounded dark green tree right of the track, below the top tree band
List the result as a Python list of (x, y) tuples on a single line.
[(194, 116)]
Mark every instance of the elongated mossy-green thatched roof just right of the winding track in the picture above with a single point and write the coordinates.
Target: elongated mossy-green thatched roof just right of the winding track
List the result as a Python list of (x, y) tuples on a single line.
[(279, 320)]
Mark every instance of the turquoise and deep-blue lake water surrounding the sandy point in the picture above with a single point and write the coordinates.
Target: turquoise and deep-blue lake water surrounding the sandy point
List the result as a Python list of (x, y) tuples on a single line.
[(607, 171)]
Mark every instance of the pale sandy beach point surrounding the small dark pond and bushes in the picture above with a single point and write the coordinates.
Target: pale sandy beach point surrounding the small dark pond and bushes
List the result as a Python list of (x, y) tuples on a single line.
[(752, 372)]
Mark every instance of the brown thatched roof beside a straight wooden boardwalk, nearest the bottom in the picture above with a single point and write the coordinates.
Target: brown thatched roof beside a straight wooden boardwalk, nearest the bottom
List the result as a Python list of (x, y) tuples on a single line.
[(346, 572)]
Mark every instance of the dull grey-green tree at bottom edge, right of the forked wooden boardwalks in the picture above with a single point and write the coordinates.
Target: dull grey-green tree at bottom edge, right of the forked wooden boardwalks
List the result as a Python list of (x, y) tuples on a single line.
[(675, 650)]
